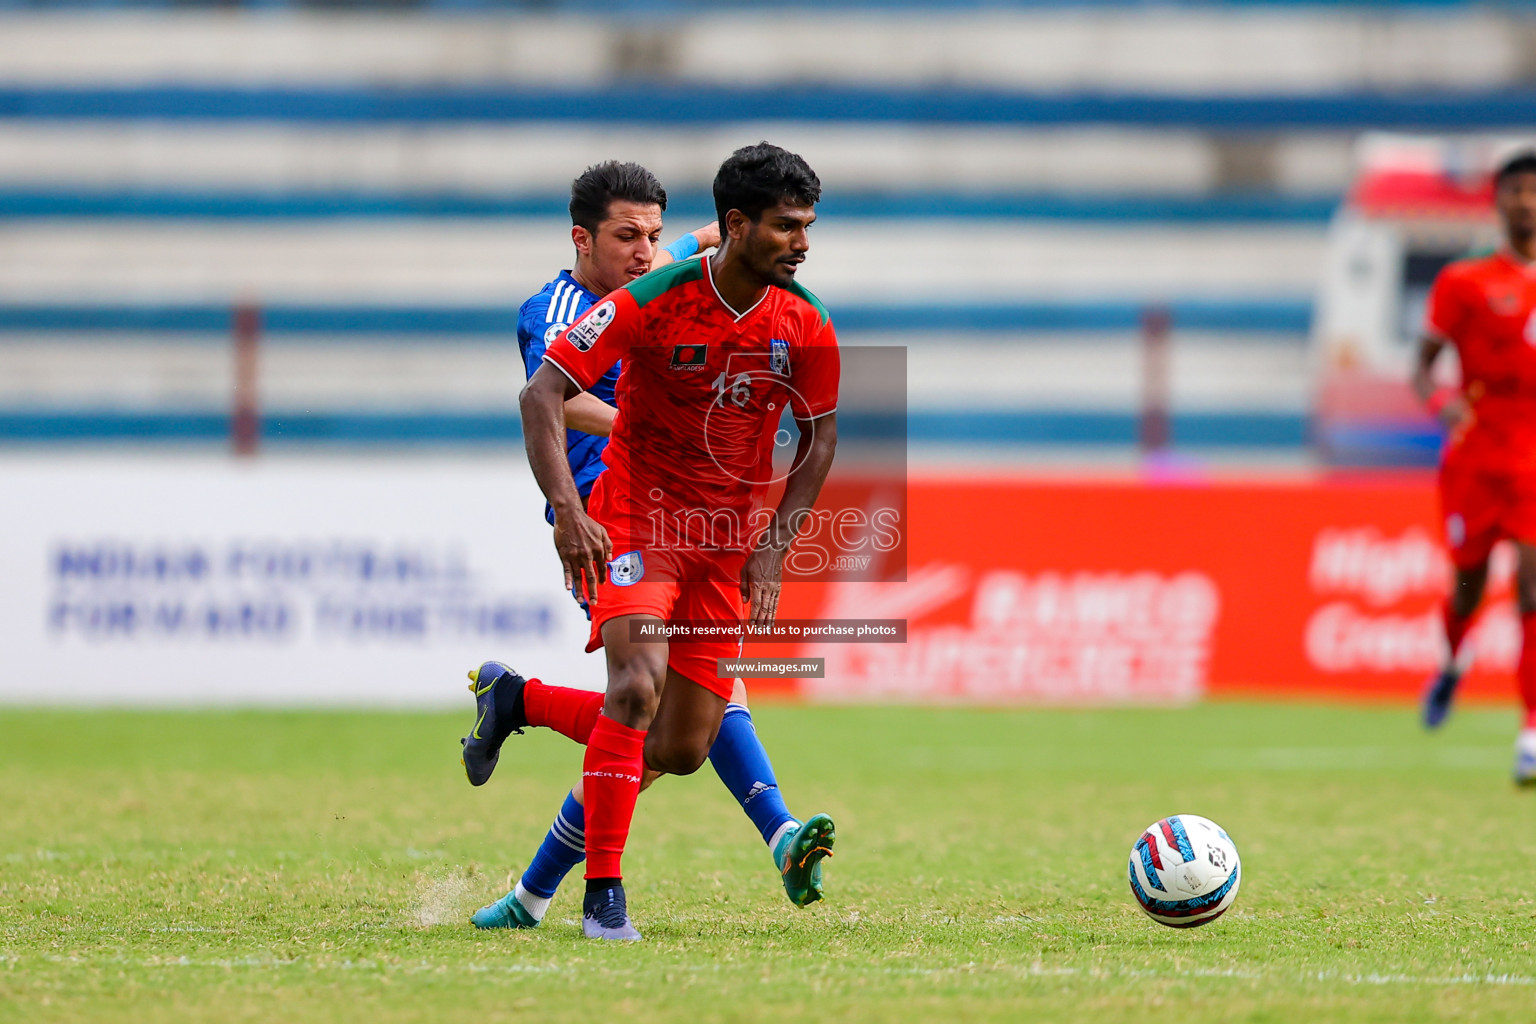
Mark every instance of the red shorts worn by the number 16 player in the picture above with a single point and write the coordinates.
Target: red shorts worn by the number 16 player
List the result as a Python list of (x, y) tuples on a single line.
[(674, 586)]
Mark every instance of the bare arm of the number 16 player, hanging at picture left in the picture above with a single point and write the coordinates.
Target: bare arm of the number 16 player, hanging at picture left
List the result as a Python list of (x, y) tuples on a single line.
[(581, 543)]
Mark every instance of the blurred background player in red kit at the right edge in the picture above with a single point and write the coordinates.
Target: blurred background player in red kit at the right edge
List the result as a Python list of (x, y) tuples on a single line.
[(1486, 308)]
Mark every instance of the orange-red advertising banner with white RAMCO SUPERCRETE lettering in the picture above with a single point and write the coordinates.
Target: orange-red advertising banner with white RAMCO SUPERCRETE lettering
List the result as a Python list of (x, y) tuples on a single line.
[(1071, 592)]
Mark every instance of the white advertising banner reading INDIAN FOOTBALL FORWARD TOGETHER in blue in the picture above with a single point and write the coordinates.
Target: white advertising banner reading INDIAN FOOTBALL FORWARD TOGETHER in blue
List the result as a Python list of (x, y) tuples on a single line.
[(277, 581)]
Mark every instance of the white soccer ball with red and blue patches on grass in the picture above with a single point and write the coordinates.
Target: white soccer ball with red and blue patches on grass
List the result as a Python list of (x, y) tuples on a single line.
[(1185, 871)]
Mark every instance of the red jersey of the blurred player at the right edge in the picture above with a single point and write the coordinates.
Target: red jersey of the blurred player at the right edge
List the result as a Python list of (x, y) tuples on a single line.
[(1486, 306)]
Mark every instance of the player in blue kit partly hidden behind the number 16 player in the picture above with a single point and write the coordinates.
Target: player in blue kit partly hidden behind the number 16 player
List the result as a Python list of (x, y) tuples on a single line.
[(617, 223)]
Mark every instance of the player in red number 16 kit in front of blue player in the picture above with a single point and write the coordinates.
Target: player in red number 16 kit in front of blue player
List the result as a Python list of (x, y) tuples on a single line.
[(713, 352)]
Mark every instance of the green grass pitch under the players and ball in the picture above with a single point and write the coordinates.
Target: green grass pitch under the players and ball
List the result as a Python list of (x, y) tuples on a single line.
[(256, 867)]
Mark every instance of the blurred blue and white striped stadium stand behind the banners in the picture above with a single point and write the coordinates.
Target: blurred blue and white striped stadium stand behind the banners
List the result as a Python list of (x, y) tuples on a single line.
[(386, 187)]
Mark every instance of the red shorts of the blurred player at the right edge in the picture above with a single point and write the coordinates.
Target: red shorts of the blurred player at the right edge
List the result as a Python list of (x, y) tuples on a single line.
[(1485, 506)]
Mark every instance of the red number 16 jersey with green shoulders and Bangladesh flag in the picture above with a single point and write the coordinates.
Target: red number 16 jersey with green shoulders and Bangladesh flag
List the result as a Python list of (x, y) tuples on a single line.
[(701, 395)]
